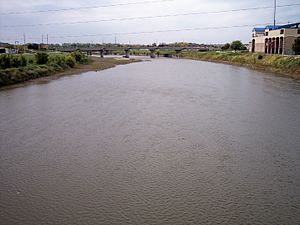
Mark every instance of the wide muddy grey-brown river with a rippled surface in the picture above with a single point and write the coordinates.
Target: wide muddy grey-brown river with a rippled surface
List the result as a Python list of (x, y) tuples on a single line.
[(161, 142)]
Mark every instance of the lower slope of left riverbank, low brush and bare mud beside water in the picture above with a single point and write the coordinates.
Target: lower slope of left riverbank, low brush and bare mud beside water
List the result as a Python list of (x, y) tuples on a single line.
[(43, 73)]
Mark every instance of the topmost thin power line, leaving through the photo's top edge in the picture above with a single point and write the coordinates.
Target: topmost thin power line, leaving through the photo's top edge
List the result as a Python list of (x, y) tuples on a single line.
[(85, 7)]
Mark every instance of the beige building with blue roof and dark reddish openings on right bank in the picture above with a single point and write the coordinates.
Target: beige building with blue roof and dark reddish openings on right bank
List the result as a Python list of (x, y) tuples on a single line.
[(275, 40)]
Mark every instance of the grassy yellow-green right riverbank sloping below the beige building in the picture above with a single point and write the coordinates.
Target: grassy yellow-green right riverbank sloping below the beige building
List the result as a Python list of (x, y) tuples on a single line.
[(285, 65)]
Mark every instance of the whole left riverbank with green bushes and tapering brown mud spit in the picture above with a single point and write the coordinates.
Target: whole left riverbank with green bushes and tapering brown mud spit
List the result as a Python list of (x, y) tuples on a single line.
[(56, 66)]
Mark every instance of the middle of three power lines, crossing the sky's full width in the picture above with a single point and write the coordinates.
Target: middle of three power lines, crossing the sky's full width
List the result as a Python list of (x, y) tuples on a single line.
[(150, 17)]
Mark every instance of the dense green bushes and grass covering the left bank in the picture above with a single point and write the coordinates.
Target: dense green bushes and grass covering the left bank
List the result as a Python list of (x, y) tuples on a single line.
[(19, 68)]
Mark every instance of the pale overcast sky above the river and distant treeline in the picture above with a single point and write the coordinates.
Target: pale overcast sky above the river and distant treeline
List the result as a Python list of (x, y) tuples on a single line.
[(10, 31)]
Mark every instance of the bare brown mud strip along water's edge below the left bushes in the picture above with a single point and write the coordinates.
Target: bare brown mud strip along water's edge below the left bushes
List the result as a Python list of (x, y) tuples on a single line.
[(96, 64)]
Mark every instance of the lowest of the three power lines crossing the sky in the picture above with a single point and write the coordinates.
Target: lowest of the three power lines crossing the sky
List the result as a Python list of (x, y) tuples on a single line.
[(156, 31)]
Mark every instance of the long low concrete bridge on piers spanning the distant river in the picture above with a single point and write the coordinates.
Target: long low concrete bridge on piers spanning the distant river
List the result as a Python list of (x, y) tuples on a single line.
[(109, 50)]
